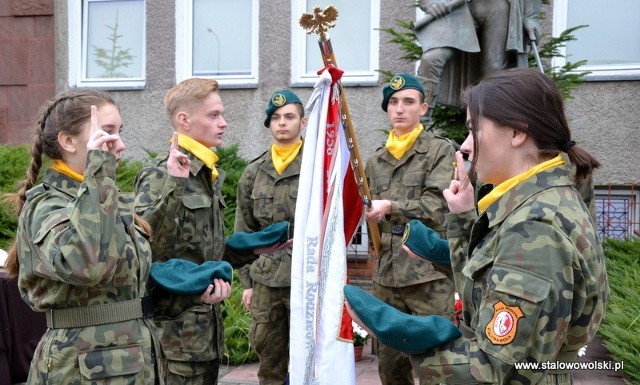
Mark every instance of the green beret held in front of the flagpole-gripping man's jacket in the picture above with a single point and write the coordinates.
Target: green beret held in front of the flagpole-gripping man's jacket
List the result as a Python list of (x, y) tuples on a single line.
[(424, 241)]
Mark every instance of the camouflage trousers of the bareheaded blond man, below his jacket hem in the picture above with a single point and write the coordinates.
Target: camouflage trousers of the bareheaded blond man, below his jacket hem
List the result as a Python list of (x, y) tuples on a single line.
[(191, 373)]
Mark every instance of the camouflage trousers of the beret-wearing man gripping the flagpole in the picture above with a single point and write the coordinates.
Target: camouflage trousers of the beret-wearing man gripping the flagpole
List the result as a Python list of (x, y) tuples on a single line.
[(433, 297)]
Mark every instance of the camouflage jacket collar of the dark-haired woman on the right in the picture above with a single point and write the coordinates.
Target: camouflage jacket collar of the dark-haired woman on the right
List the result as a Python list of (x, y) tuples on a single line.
[(514, 198)]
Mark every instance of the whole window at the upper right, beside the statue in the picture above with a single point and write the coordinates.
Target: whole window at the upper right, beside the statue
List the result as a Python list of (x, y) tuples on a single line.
[(610, 43)]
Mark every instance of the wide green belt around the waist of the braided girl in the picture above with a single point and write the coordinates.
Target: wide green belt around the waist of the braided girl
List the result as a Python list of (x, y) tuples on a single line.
[(84, 316)]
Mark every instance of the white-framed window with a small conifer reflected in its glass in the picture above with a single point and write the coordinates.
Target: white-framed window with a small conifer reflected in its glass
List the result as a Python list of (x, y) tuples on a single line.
[(107, 44)]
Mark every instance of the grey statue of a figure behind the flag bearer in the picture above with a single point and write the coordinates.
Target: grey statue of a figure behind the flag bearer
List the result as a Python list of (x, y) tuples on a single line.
[(463, 40)]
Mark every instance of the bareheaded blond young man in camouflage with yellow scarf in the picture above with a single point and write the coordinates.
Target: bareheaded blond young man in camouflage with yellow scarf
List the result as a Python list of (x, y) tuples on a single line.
[(180, 196)]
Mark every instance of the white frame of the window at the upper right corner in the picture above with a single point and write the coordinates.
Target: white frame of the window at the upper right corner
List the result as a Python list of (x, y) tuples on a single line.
[(598, 72)]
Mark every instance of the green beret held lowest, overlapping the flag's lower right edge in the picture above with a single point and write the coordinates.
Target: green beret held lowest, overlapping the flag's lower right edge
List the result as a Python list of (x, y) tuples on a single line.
[(404, 332)]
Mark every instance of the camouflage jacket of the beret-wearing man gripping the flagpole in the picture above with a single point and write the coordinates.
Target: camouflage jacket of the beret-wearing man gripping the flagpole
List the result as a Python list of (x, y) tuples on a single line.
[(414, 185)]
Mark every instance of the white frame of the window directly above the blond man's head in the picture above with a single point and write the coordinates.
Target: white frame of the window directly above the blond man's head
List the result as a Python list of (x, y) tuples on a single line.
[(184, 48)]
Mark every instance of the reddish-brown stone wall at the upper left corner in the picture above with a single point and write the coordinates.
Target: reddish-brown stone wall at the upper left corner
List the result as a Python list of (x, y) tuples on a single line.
[(27, 65)]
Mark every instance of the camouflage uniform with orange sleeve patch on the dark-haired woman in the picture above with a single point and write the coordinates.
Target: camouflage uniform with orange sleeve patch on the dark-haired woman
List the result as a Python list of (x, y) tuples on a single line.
[(535, 257)]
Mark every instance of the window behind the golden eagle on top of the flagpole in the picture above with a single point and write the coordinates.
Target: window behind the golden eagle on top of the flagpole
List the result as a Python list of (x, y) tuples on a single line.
[(355, 41)]
